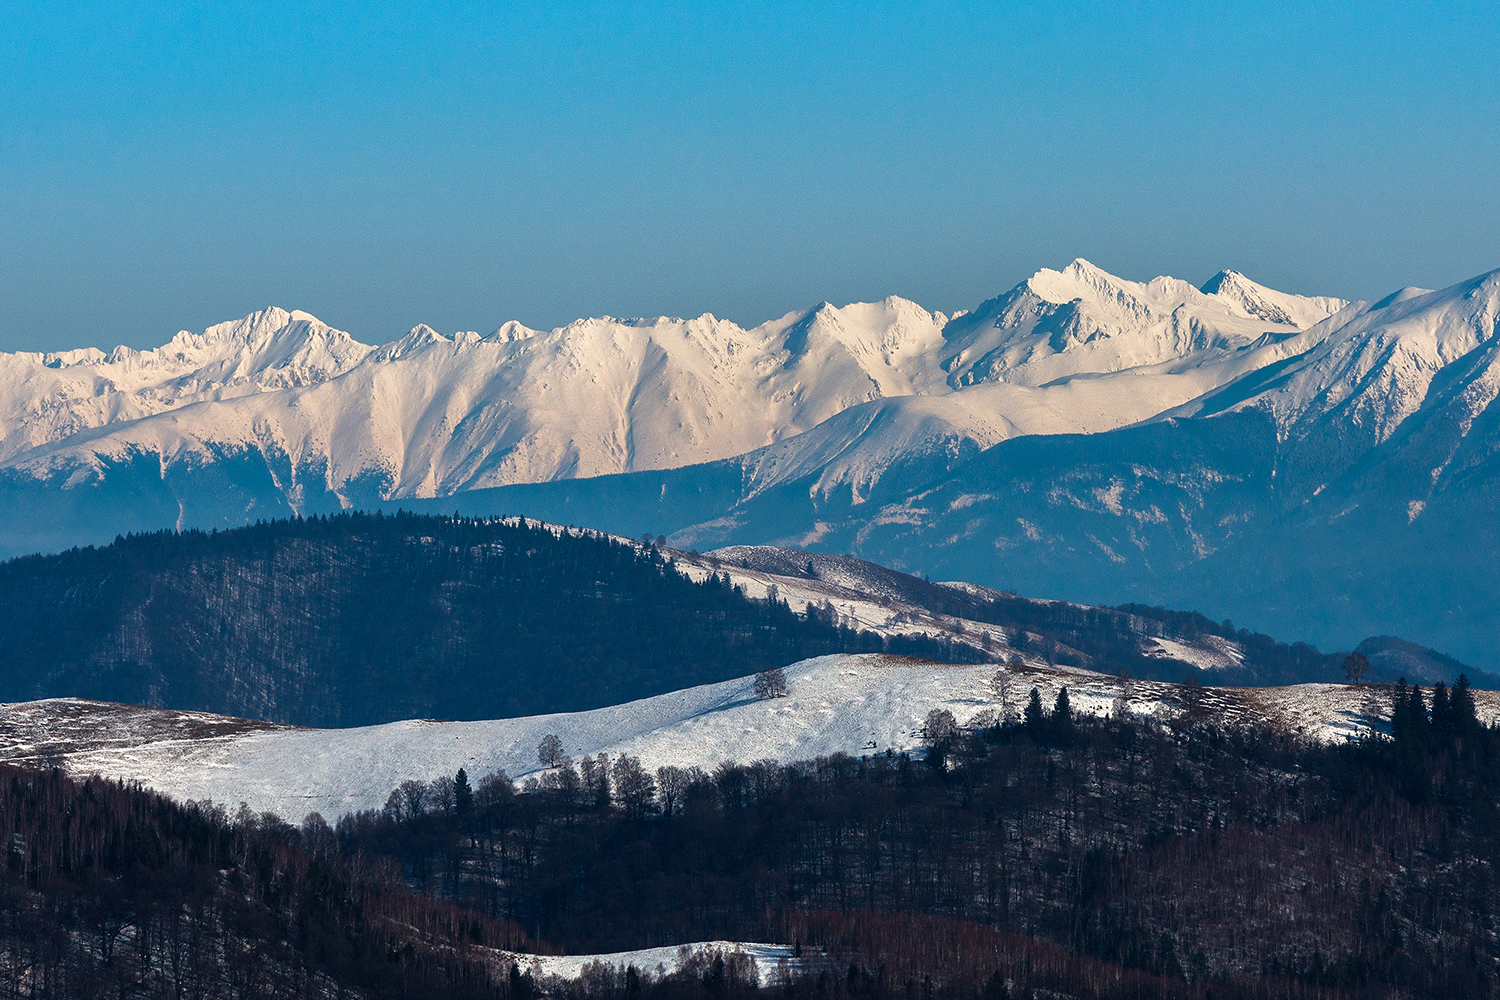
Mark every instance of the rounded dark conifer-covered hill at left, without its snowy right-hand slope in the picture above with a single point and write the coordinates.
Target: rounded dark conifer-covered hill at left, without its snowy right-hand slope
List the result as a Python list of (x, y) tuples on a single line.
[(356, 620)]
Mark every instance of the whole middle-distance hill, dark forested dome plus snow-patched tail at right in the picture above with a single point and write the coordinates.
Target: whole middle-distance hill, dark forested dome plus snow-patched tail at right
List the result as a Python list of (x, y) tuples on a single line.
[(359, 620)]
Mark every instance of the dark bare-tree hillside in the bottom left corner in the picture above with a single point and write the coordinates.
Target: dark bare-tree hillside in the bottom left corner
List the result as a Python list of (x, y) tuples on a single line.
[(112, 891)]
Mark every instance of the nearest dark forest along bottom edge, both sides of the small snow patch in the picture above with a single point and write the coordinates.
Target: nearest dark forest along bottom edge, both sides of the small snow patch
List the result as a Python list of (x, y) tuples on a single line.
[(112, 891)]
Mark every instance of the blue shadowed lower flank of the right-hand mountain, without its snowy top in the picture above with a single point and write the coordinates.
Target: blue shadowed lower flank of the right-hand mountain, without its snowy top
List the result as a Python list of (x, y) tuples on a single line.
[(1187, 513)]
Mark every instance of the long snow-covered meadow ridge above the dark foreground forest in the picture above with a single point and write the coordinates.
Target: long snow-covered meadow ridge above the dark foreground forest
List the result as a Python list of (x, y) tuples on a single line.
[(856, 705)]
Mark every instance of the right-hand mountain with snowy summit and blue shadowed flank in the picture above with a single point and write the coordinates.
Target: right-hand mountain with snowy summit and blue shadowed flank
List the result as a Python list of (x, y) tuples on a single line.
[(1343, 485)]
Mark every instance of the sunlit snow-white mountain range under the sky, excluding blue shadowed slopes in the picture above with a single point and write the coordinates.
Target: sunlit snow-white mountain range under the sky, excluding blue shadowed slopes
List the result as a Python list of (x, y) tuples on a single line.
[(433, 415)]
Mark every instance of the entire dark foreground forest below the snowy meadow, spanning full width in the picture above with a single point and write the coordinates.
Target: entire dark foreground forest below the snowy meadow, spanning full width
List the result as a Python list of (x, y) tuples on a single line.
[(1054, 857)]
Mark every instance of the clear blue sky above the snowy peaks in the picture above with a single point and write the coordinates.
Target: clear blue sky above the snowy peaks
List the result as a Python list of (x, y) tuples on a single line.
[(169, 167)]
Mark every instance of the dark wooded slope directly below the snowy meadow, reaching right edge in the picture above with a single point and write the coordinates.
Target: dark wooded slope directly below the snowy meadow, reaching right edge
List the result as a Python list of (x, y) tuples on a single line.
[(1193, 852)]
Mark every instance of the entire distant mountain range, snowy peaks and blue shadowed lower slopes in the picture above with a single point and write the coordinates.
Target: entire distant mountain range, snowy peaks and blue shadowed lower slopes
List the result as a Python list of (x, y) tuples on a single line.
[(1304, 466)]
